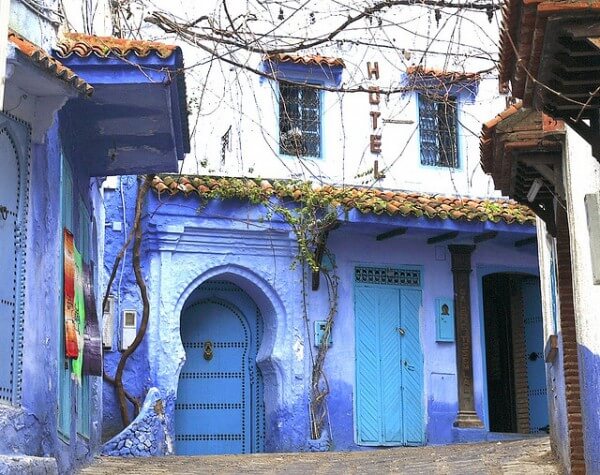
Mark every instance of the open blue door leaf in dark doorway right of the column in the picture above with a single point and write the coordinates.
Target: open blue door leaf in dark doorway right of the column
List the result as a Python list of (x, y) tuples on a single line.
[(534, 353)]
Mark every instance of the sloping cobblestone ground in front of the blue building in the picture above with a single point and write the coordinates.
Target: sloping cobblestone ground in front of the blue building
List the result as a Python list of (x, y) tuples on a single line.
[(529, 456)]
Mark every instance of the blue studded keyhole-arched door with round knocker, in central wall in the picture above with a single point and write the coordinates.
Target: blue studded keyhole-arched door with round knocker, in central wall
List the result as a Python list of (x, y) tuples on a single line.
[(219, 407)]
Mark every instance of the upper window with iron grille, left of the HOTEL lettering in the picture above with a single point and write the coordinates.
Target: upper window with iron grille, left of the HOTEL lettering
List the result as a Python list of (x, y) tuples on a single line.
[(299, 121)]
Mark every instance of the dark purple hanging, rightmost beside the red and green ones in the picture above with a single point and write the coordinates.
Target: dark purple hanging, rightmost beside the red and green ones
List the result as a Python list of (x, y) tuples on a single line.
[(92, 349)]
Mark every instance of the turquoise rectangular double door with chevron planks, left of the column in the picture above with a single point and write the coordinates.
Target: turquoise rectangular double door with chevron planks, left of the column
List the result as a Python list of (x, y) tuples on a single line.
[(389, 366)]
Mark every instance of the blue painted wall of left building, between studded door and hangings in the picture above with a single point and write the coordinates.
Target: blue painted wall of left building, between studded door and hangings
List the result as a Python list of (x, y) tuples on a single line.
[(32, 428)]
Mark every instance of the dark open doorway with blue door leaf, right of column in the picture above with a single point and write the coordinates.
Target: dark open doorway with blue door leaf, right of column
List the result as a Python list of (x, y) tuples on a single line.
[(514, 343)]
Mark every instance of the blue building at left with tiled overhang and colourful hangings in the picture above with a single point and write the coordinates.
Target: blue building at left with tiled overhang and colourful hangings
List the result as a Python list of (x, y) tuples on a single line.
[(66, 124)]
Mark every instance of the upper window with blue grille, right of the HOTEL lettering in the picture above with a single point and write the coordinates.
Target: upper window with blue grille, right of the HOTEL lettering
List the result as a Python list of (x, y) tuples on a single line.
[(437, 127)]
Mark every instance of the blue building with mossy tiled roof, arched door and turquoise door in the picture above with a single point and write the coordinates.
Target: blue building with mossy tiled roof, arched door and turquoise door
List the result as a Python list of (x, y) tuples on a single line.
[(437, 308)]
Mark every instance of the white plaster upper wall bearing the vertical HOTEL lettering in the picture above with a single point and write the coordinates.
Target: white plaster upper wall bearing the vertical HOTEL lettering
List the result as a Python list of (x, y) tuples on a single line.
[(221, 96)]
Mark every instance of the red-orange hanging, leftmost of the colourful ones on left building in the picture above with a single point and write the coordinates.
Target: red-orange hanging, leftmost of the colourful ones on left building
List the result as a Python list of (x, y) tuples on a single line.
[(71, 337)]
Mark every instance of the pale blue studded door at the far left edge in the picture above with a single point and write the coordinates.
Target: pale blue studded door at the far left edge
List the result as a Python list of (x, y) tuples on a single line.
[(14, 146)]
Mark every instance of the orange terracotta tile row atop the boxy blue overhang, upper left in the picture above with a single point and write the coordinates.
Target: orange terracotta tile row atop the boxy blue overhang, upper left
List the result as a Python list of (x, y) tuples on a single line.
[(103, 46)]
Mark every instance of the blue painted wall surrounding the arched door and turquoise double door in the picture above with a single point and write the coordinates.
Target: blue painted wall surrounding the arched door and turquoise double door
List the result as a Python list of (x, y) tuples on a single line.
[(188, 242)]
